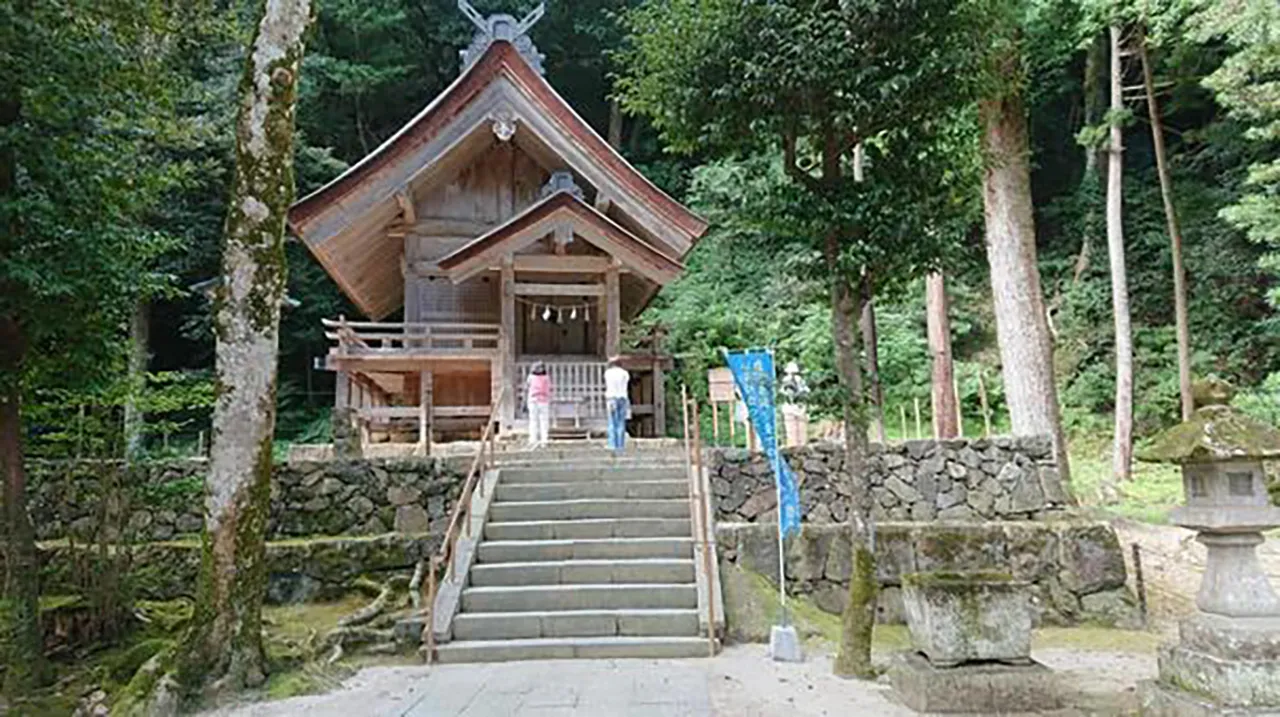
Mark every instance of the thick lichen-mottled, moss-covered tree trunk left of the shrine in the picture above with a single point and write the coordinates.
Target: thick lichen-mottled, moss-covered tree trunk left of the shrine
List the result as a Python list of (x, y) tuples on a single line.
[(223, 651)]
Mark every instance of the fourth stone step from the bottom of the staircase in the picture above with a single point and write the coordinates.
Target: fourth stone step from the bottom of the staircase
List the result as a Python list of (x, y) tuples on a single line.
[(584, 572)]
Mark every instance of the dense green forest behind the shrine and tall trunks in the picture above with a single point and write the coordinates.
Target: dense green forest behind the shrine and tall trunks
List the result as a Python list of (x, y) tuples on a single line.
[(373, 65)]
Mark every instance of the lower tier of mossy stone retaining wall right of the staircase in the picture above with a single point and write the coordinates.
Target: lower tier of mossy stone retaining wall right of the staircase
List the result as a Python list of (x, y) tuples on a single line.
[(1076, 568)]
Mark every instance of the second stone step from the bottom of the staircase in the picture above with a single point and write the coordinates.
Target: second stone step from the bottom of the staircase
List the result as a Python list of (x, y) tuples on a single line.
[(575, 624)]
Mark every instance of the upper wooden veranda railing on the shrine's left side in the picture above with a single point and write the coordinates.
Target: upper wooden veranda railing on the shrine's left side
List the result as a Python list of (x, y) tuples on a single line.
[(373, 339)]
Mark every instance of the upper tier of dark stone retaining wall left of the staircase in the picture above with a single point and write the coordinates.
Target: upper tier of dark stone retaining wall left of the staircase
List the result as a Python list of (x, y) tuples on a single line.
[(164, 500)]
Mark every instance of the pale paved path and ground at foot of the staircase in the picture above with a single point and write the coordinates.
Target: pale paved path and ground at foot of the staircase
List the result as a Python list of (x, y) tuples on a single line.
[(740, 683)]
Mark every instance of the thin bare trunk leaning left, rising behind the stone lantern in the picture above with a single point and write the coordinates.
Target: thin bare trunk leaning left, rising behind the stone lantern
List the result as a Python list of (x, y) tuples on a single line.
[(1176, 238)]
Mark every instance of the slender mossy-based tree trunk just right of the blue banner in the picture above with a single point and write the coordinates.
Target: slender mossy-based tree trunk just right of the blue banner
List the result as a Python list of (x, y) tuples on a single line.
[(854, 659)]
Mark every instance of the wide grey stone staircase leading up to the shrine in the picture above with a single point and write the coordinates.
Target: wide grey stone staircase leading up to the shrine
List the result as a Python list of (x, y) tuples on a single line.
[(586, 556)]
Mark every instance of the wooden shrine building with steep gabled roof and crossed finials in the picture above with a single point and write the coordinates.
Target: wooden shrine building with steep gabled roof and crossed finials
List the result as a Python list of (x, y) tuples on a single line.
[(504, 231)]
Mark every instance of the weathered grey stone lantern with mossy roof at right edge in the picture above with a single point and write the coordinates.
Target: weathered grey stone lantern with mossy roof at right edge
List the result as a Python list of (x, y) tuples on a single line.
[(1228, 656)]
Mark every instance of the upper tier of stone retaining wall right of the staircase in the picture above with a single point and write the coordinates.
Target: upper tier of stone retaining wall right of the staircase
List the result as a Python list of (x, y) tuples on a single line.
[(920, 481)]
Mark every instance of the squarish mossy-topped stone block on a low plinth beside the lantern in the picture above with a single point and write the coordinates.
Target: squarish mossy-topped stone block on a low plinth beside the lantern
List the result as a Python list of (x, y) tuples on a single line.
[(964, 618)]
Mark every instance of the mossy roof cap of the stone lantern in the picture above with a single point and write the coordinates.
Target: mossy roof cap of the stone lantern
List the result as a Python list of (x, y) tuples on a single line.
[(1215, 433)]
